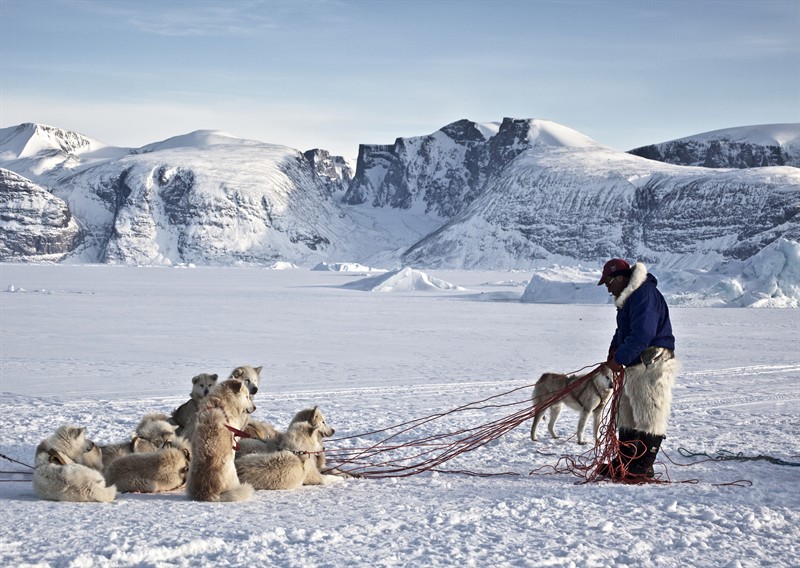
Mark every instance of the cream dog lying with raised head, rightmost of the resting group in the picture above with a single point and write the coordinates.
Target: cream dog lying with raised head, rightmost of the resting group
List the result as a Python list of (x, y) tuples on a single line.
[(299, 461)]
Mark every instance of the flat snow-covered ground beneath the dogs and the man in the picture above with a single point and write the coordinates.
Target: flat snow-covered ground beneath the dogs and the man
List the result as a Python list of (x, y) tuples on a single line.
[(99, 346)]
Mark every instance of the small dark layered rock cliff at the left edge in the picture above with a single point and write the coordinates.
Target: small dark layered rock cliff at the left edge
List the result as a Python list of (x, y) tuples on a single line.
[(34, 225)]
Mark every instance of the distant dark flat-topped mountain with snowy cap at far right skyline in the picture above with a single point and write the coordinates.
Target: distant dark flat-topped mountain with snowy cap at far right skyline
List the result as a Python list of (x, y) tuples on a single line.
[(742, 147)]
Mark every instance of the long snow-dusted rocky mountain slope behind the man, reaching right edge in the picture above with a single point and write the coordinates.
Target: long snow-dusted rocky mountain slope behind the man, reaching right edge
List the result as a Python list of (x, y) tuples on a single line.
[(566, 204)]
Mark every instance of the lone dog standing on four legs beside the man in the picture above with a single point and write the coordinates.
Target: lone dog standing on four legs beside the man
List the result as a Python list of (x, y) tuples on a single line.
[(590, 397)]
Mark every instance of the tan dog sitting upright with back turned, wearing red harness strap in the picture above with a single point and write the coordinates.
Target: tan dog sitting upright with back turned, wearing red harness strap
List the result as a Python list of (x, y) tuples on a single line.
[(212, 473)]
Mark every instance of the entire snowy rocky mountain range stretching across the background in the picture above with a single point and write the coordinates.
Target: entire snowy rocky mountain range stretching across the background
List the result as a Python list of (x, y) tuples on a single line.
[(520, 194)]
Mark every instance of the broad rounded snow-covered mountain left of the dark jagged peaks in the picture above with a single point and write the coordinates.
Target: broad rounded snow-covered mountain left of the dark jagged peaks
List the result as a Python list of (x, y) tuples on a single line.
[(217, 205)]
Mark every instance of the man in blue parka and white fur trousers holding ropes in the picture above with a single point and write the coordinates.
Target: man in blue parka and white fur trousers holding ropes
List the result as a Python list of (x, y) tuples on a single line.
[(643, 345)]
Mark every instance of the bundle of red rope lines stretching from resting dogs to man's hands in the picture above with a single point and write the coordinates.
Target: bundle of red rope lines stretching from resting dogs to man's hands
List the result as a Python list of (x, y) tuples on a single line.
[(430, 452)]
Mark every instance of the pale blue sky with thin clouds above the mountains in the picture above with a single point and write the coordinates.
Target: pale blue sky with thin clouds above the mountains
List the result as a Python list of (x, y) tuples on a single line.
[(335, 73)]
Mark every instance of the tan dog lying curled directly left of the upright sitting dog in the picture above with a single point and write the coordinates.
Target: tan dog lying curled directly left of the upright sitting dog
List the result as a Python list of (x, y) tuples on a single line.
[(151, 472)]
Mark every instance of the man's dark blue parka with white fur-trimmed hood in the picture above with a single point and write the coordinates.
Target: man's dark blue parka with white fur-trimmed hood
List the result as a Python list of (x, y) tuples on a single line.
[(642, 321)]
